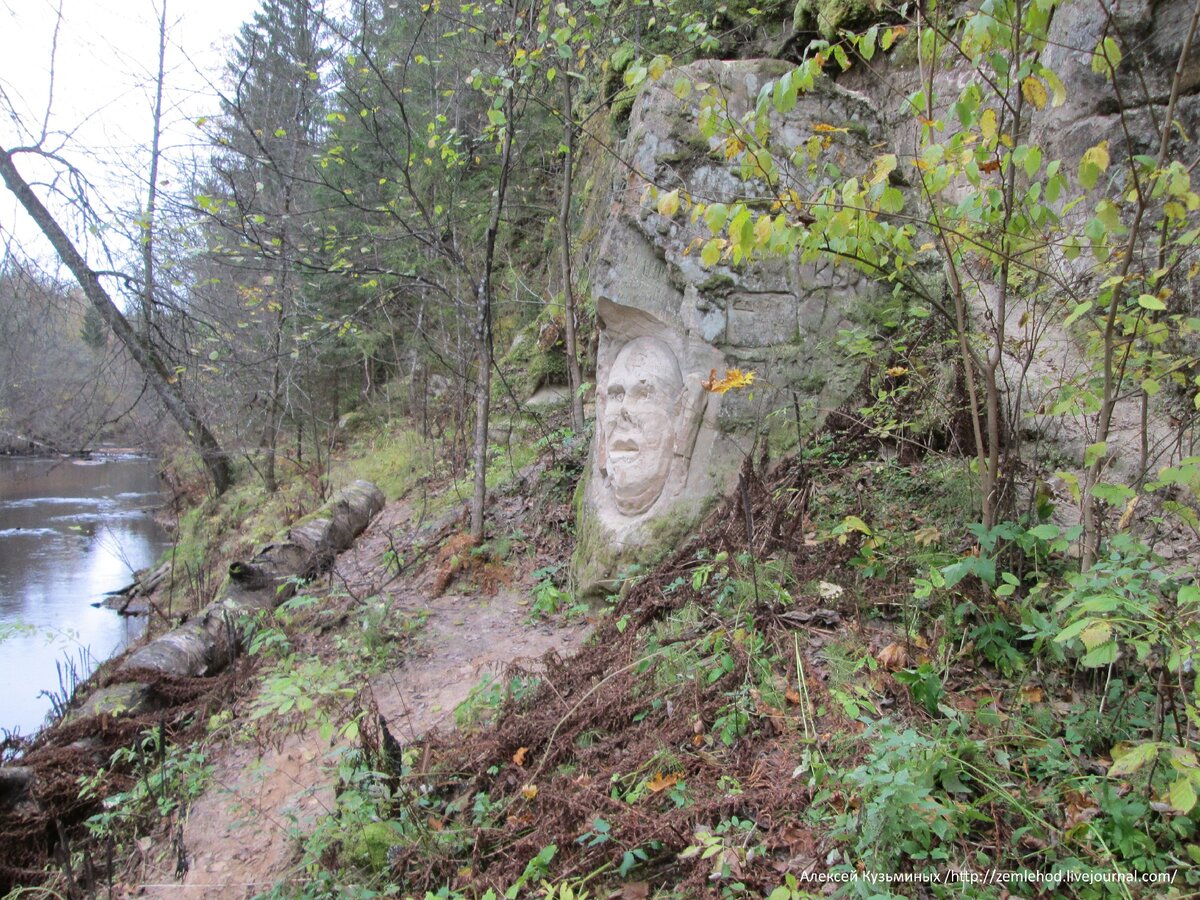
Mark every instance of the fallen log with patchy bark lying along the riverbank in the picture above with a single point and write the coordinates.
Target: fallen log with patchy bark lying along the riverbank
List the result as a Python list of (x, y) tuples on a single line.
[(209, 641)]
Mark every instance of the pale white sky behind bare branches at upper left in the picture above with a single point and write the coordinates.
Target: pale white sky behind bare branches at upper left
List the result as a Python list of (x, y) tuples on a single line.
[(104, 87)]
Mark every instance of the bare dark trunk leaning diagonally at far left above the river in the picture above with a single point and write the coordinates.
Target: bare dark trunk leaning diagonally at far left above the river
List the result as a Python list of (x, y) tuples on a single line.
[(143, 353)]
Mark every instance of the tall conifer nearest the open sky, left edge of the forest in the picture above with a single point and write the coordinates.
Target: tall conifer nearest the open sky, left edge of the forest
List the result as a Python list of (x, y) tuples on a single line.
[(269, 135)]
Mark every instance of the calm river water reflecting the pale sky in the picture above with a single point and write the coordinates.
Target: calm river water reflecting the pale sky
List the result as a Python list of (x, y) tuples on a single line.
[(70, 531)]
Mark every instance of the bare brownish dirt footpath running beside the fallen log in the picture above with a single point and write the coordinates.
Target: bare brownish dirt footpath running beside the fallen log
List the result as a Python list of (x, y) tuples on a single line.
[(242, 836)]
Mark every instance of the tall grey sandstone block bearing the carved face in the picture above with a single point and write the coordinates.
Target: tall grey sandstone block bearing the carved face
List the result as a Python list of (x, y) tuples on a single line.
[(665, 448)]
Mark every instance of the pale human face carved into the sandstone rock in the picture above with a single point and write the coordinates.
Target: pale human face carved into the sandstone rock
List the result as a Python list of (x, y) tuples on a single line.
[(644, 397)]
